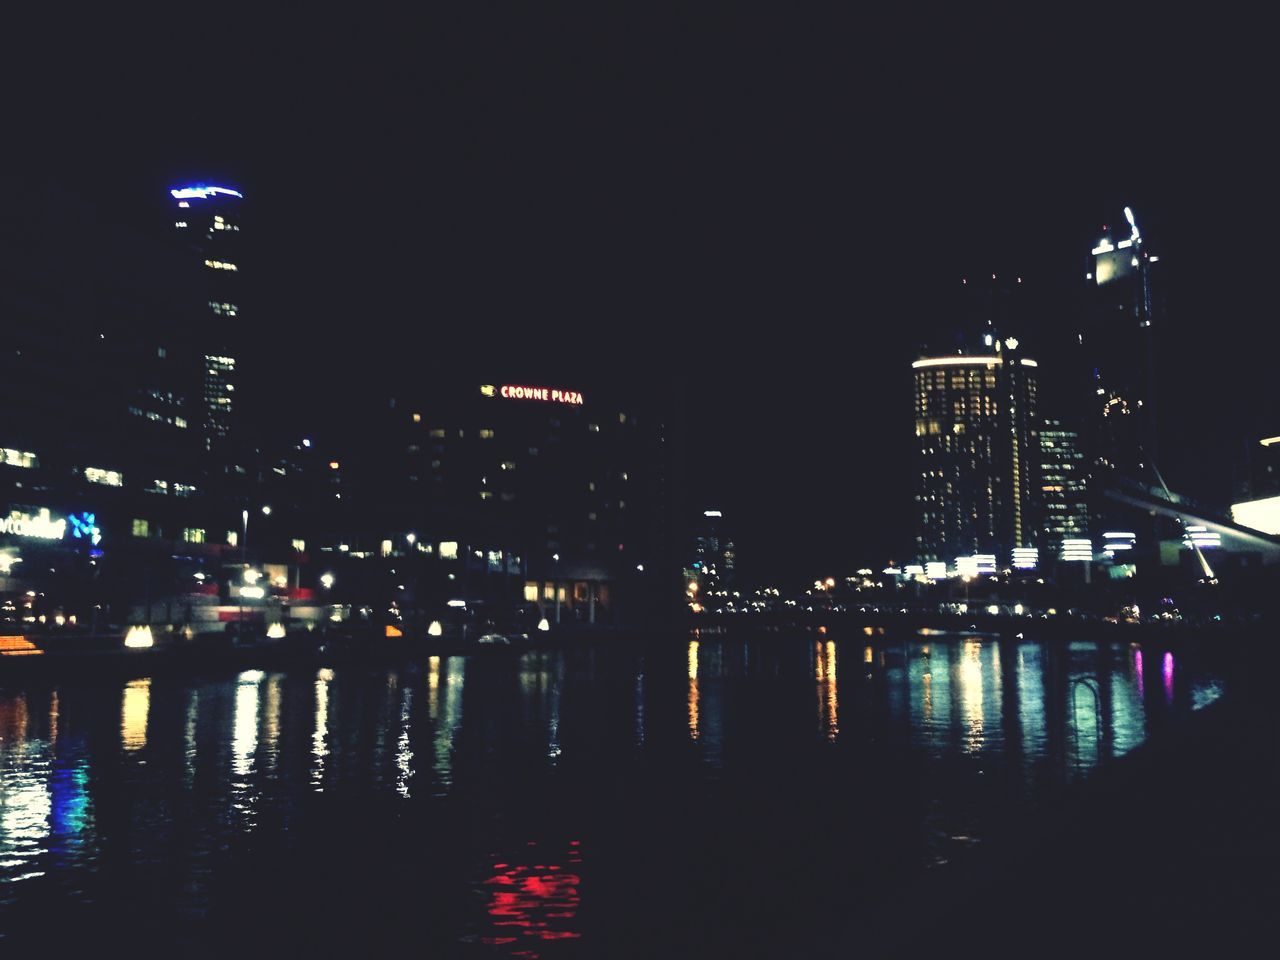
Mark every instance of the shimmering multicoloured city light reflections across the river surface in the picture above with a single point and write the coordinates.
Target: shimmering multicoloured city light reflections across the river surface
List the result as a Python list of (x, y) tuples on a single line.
[(189, 767)]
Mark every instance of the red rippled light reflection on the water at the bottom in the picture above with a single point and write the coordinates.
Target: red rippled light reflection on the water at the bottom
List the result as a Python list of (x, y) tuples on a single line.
[(534, 902)]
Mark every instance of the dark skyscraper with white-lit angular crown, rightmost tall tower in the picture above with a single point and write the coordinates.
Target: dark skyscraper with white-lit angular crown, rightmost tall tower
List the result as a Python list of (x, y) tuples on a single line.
[(1116, 340)]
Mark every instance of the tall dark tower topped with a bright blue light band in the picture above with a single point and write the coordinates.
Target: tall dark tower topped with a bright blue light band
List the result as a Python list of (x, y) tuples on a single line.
[(208, 223)]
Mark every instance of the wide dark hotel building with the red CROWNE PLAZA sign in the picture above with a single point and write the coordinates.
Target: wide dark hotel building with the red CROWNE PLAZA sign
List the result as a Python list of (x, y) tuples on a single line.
[(515, 493)]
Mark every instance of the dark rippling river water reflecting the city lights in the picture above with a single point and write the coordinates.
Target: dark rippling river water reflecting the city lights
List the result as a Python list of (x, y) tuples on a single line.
[(721, 794)]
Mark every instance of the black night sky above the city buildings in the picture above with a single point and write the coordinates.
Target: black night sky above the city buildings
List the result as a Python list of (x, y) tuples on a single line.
[(766, 213)]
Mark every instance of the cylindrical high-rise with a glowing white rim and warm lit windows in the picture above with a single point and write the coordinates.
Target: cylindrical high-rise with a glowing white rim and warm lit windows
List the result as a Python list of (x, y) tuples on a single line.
[(976, 420)]
